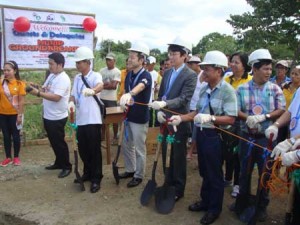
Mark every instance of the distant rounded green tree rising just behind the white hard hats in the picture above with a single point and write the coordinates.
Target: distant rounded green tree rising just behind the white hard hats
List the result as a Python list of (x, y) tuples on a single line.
[(216, 41)]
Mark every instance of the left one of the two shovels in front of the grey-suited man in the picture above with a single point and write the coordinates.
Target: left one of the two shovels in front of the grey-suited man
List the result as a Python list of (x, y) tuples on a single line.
[(151, 185)]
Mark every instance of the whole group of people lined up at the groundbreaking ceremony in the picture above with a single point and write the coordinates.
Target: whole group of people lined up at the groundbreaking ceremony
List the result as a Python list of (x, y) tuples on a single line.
[(193, 98)]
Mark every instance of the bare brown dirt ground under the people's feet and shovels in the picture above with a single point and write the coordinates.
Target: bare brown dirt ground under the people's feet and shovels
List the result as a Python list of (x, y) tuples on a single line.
[(29, 194)]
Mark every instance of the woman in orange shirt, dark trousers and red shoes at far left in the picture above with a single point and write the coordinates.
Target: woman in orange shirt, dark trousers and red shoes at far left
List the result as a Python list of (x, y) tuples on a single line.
[(12, 95)]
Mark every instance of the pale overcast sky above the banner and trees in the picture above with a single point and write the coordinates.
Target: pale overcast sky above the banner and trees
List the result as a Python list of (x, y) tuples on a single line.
[(156, 22)]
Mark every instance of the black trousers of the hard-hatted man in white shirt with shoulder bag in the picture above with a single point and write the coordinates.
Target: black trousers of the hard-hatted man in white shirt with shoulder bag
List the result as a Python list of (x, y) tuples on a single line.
[(89, 147)]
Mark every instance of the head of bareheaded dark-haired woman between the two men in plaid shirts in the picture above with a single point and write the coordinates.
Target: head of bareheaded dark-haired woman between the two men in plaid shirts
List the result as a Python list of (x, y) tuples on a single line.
[(239, 61)]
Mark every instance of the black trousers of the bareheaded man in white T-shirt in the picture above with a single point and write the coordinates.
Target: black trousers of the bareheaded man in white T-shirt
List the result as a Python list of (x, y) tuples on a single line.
[(56, 134)]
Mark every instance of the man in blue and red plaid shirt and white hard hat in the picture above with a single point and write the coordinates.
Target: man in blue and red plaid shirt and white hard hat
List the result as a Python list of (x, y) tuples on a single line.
[(260, 102)]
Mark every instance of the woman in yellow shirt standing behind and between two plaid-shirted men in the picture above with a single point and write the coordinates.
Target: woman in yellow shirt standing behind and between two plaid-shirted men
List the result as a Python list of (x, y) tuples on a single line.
[(240, 70)]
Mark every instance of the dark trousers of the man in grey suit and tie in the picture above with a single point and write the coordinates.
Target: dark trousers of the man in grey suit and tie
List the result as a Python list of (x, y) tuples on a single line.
[(177, 171)]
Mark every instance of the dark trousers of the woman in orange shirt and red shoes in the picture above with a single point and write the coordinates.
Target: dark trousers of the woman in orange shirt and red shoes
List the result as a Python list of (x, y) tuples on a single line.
[(9, 129)]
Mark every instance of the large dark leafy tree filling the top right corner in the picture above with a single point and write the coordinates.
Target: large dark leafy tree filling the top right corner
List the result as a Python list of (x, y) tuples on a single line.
[(274, 24)]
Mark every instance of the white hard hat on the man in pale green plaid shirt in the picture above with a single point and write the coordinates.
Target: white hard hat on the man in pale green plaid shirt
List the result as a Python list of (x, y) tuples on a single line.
[(216, 58)]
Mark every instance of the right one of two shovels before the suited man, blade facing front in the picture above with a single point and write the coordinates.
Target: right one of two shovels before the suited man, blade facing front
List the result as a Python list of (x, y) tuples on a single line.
[(165, 195)]
